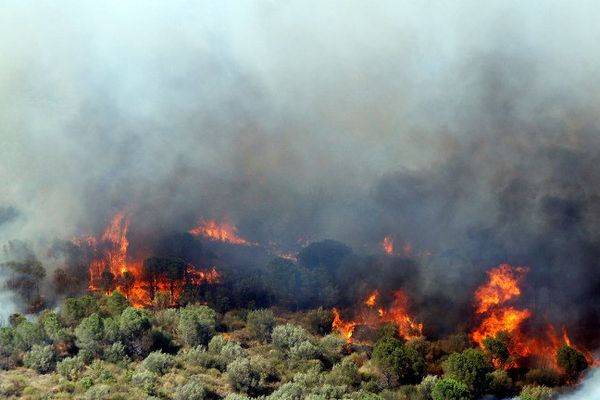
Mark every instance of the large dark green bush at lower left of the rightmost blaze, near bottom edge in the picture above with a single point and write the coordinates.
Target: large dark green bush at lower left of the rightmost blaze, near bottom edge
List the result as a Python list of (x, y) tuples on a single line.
[(469, 367)]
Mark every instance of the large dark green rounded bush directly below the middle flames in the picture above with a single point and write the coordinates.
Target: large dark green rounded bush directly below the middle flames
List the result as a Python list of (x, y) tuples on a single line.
[(397, 362)]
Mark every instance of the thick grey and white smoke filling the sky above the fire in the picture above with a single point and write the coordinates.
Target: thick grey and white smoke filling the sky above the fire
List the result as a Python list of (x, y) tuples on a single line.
[(457, 127)]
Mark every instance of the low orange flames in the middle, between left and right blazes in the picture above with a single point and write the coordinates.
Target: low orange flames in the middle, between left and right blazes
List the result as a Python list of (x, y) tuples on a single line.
[(397, 313)]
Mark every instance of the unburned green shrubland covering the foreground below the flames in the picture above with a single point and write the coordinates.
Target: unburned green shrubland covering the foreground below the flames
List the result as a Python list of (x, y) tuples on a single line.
[(99, 347)]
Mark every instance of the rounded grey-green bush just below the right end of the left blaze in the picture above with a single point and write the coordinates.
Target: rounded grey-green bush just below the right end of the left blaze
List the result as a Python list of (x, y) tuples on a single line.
[(196, 325)]
